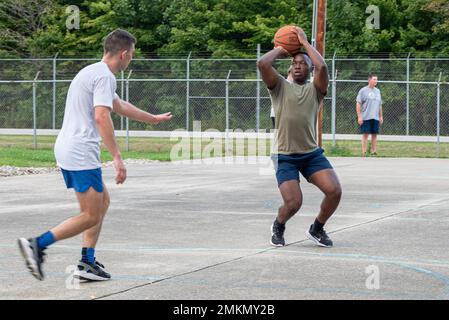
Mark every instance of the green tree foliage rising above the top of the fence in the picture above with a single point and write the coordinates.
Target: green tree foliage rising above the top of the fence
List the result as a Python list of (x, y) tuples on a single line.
[(219, 28)]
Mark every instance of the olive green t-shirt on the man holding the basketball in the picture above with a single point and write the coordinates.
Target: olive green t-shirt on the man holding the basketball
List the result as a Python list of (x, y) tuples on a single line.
[(296, 108)]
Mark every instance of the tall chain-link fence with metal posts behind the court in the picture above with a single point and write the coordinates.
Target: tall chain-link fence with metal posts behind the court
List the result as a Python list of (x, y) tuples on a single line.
[(227, 94)]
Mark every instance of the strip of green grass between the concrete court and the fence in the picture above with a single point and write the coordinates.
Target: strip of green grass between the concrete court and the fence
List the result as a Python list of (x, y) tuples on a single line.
[(18, 150)]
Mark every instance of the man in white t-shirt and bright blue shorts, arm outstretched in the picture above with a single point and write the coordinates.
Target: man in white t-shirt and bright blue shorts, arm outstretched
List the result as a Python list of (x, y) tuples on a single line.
[(87, 121)]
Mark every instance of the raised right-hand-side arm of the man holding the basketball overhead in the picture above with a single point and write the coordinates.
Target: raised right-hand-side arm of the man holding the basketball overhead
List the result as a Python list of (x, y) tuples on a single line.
[(321, 77)]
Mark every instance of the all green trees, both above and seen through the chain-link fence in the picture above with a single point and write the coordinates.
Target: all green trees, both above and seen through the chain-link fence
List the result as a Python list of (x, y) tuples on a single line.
[(224, 29)]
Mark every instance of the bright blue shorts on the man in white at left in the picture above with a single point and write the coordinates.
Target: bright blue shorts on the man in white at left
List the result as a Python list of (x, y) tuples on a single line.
[(82, 180)]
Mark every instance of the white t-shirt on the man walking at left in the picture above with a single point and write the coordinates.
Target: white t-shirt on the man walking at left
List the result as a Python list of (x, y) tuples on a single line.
[(78, 144)]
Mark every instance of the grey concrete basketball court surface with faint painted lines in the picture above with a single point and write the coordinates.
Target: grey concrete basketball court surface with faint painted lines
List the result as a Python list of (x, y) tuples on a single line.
[(198, 231)]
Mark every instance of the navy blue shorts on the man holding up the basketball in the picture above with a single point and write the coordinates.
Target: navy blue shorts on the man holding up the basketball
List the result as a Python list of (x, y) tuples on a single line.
[(288, 166)]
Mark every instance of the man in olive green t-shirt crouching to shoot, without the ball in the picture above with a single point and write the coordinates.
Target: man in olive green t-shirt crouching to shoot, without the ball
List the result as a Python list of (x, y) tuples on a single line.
[(296, 107)]
